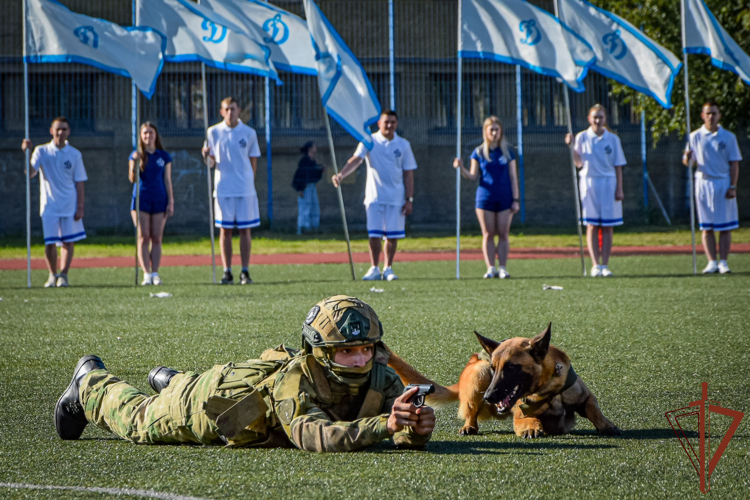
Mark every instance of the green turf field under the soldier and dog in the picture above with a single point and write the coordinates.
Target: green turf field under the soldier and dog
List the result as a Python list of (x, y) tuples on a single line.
[(643, 341)]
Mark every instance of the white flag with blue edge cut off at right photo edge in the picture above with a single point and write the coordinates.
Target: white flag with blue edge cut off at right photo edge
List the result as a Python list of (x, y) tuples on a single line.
[(706, 36)]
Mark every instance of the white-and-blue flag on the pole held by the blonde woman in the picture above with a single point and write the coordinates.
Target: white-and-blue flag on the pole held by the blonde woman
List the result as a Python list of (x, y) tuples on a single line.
[(516, 32)]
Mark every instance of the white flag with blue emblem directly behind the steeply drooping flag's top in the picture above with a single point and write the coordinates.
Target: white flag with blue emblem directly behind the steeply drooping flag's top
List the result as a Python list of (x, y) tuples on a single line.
[(283, 32)]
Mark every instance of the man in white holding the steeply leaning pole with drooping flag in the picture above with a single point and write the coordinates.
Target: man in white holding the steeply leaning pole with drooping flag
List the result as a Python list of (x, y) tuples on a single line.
[(389, 192)]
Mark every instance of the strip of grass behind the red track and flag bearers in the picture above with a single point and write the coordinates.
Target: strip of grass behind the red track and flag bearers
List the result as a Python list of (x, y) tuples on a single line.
[(265, 242)]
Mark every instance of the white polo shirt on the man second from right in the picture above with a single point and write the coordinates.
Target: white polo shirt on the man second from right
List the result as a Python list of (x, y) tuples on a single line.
[(599, 154)]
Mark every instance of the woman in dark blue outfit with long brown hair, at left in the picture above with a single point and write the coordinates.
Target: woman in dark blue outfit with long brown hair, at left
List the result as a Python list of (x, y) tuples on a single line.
[(156, 201)]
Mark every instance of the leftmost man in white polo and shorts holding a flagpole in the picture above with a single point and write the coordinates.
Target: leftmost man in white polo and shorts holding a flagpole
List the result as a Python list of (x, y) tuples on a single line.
[(61, 197)]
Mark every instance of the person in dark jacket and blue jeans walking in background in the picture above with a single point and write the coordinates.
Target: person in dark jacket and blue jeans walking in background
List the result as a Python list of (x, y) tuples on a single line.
[(308, 173)]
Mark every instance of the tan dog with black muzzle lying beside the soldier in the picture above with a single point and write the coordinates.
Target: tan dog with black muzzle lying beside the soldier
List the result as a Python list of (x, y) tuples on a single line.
[(526, 378)]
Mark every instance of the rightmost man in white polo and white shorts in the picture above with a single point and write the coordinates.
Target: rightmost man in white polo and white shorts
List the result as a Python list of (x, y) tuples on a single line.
[(718, 157)]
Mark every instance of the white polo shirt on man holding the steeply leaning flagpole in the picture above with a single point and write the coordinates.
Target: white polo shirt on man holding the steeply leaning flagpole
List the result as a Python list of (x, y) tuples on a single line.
[(386, 163)]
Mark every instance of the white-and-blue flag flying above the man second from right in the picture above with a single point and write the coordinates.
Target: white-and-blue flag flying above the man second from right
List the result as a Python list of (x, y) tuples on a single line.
[(623, 53)]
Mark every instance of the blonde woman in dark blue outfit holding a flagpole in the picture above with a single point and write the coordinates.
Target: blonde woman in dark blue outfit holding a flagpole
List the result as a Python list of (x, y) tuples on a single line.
[(494, 164)]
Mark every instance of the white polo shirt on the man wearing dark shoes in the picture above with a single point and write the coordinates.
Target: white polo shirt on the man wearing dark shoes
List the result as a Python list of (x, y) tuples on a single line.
[(232, 149)]
